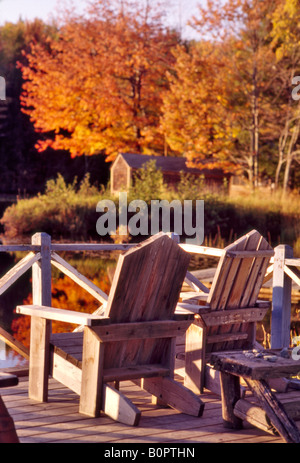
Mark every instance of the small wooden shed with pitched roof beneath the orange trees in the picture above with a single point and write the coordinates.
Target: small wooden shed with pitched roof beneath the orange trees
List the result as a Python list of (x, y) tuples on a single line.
[(126, 164)]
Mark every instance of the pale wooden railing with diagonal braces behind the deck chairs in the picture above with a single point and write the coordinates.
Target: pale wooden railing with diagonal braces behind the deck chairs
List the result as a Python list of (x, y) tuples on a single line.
[(42, 253)]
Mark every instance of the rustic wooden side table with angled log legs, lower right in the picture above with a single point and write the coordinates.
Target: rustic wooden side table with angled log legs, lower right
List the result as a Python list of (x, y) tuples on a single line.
[(234, 365)]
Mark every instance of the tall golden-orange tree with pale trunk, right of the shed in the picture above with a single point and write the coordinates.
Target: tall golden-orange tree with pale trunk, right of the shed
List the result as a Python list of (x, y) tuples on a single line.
[(233, 80)]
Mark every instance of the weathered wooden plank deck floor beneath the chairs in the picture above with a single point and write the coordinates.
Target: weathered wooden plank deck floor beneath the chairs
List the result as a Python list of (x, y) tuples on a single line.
[(58, 421)]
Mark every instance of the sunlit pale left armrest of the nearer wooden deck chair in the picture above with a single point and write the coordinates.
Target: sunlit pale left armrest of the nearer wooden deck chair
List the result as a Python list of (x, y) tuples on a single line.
[(68, 316)]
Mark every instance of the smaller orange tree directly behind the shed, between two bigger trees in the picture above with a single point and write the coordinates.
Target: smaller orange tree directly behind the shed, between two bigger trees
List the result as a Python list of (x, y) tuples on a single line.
[(195, 117)]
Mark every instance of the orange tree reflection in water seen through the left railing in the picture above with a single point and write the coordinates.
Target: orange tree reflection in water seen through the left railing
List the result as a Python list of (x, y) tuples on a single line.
[(65, 293)]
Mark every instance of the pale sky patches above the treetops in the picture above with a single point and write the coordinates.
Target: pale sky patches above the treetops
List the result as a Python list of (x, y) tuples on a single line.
[(13, 10)]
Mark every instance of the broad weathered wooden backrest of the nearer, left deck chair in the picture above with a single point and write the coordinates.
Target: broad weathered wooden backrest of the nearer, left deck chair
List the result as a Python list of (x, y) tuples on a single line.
[(146, 287)]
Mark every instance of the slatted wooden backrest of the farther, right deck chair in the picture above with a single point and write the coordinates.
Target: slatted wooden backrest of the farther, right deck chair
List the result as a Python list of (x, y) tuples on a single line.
[(237, 283)]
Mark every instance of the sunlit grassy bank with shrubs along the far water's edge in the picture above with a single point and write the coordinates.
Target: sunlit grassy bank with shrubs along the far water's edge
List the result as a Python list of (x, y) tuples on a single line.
[(68, 212)]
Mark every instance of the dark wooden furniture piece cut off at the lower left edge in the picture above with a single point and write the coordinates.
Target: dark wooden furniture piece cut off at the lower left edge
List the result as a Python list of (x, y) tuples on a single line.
[(8, 433)]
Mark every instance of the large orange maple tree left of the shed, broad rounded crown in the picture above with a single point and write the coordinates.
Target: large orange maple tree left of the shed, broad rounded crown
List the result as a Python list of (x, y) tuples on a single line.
[(98, 86)]
